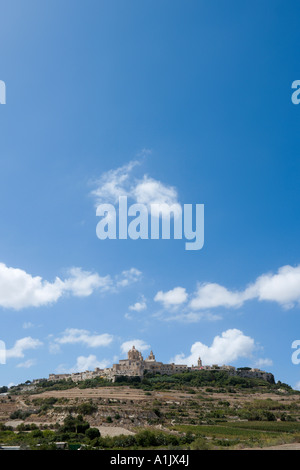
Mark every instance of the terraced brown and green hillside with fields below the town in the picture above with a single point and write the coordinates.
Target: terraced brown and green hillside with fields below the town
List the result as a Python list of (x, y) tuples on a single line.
[(210, 411)]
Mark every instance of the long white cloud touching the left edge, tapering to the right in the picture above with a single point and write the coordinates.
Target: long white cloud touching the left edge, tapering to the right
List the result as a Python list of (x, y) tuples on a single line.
[(19, 289)]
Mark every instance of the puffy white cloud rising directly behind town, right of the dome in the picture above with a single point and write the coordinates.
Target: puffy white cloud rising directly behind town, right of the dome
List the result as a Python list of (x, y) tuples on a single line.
[(225, 349)]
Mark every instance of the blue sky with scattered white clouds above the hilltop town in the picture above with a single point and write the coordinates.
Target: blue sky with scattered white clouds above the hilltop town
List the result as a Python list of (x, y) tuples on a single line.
[(189, 99)]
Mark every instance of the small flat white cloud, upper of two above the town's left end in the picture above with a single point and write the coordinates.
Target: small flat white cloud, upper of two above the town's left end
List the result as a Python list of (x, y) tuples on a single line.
[(79, 336)]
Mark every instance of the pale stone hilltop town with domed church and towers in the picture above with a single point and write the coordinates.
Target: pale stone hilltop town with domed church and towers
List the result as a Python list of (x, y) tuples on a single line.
[(136, 366)]
